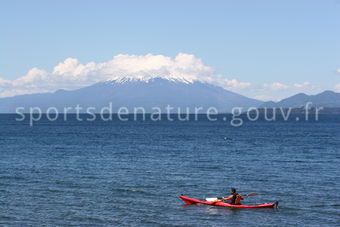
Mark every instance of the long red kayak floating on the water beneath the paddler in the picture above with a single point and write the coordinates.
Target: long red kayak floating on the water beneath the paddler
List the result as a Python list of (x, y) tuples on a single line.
[(190, 201)]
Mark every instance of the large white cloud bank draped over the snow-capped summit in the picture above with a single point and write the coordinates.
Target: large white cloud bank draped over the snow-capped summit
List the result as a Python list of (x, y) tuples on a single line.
[(71, 74)]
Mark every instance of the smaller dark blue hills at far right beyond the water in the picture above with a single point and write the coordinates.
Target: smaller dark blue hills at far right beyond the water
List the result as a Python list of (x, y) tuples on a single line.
[(324, 99)]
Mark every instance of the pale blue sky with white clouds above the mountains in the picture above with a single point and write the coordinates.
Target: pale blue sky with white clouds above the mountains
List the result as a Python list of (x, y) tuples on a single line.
[(262, 49)]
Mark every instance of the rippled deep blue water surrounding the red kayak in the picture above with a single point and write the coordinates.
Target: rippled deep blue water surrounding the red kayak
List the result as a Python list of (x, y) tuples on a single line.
[(115, 173)]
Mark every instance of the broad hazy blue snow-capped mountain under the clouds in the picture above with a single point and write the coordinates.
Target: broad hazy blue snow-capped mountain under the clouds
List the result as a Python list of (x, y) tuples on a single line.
[(155, 92)]
